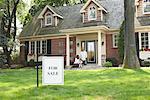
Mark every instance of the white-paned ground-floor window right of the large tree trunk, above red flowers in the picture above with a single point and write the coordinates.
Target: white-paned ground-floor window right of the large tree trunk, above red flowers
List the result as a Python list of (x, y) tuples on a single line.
[(144, 41)]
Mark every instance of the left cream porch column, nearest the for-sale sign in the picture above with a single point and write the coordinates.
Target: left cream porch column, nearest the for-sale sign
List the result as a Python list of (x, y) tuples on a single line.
[(67, 50)]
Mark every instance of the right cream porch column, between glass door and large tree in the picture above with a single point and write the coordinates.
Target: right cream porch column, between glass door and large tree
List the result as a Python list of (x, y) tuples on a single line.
[(99, 48)]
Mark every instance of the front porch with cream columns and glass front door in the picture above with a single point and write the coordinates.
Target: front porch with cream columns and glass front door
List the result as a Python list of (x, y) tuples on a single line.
[(93, 42)]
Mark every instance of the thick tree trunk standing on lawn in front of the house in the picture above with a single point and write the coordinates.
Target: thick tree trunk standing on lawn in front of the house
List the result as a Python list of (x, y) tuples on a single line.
[(130, 55)]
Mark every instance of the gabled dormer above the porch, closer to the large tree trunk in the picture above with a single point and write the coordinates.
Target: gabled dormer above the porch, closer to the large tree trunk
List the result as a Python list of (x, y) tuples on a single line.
[(92, 11)]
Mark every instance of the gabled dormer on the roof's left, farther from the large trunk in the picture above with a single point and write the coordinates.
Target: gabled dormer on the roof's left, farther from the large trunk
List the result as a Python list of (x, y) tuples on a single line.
[(49, 17)]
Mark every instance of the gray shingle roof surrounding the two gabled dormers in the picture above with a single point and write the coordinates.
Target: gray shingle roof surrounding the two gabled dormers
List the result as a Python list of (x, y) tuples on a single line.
[(73, 19)]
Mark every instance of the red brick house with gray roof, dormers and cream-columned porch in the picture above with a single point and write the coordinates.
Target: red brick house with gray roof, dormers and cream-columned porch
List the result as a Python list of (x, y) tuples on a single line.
[(93, 26)]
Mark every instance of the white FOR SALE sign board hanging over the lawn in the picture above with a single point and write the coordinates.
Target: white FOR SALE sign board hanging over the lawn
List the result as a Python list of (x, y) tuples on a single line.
[(53, 70)]
